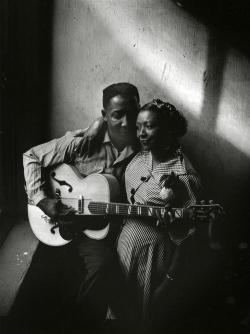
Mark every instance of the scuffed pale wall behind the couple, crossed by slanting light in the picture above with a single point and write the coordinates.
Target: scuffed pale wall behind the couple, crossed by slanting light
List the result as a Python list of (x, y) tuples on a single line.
[(167, 53)]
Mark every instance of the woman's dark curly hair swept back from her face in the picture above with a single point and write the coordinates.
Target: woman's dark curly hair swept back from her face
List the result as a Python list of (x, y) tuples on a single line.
[(172, 120)]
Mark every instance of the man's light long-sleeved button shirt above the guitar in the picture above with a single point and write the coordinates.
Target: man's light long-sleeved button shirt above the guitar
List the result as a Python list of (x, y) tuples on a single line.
[(103, 157)]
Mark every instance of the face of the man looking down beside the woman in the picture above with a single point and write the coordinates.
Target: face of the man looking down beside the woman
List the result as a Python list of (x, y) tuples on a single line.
[(120, 115)]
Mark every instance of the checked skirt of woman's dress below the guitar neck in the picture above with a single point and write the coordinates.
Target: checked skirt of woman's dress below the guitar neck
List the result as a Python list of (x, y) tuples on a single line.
[(145, 254)]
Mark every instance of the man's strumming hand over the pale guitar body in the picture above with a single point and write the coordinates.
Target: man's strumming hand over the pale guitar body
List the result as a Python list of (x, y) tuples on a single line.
[(54, 208)]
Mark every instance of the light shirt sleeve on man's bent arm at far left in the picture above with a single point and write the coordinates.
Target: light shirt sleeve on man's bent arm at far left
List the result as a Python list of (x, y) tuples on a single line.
[(56, 151)]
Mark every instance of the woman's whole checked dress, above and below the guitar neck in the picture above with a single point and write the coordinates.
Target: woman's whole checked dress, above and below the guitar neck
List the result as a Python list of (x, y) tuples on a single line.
[(145, 251)]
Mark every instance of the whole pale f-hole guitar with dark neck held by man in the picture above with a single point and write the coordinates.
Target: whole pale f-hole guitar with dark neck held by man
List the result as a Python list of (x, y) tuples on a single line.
[(96, 195)]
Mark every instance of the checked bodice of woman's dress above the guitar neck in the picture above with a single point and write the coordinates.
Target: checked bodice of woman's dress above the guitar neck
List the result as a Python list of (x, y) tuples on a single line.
[(148, 192)]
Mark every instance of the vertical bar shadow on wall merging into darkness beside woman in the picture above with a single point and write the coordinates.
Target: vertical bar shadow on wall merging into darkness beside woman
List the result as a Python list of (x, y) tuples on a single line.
[(225, 169)]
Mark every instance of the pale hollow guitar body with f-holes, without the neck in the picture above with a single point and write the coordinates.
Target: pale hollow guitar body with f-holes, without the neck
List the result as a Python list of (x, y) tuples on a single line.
[(67, 184)]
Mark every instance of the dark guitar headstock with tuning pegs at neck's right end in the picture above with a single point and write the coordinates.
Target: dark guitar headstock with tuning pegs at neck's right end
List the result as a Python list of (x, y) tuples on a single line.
[(203, 211)]
